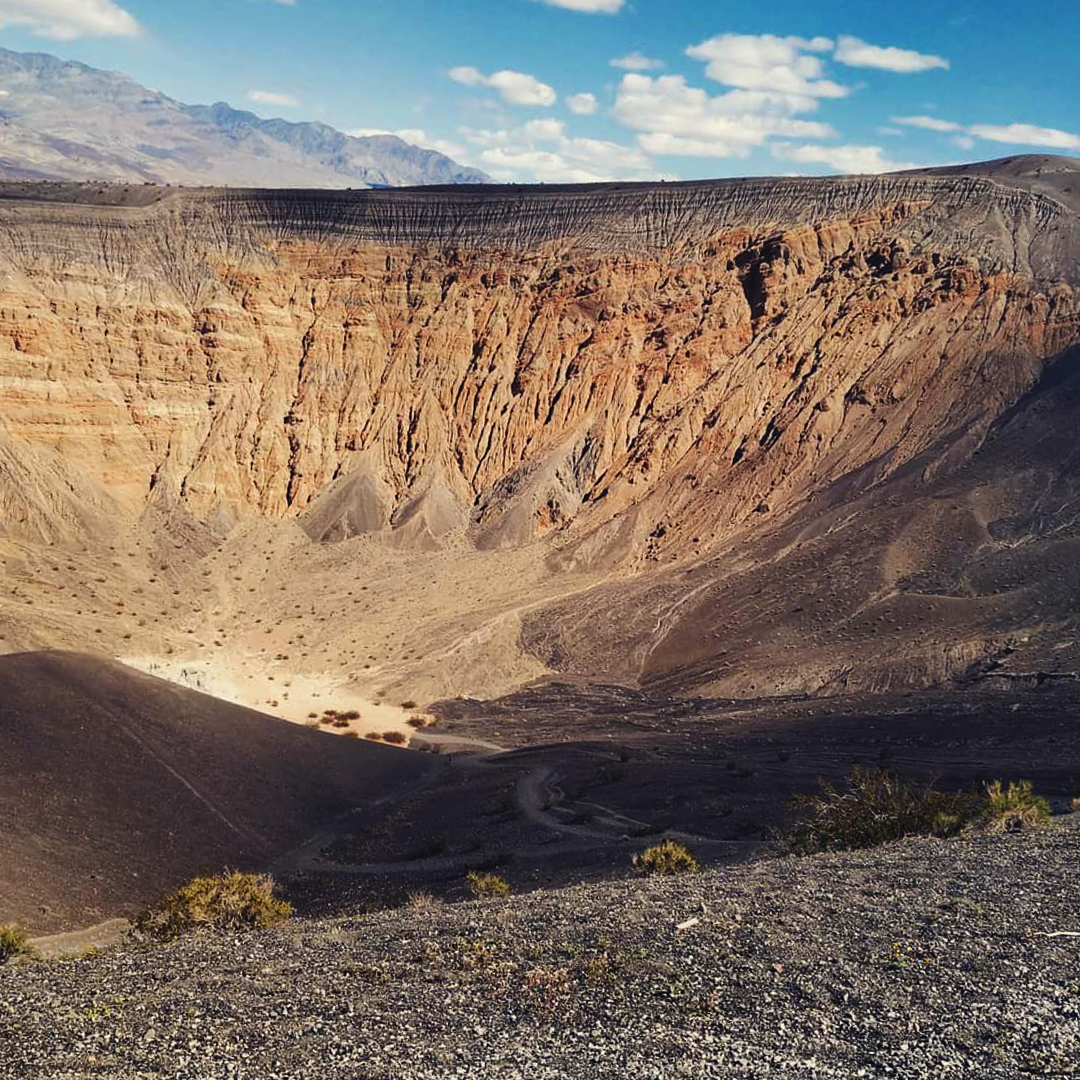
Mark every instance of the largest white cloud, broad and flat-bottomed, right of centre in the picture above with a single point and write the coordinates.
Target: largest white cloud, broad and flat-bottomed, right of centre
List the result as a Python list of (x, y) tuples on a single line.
[(677, 118)]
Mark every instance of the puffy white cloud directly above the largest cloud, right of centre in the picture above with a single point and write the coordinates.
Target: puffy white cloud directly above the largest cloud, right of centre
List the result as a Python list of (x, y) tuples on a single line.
[(779, 66)]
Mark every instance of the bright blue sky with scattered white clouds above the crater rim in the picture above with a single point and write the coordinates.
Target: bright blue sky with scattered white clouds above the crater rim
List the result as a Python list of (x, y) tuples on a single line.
[(580, 90)]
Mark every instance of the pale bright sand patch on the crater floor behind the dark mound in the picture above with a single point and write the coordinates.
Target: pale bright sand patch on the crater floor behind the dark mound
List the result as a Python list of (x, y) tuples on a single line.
[(289, 696)]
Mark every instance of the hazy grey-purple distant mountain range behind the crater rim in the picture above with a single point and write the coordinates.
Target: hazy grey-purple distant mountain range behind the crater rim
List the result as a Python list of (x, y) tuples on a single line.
[(60, 119)]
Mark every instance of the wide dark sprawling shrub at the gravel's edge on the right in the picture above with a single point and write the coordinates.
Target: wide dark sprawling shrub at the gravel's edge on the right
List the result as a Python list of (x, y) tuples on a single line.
[(875, 807)]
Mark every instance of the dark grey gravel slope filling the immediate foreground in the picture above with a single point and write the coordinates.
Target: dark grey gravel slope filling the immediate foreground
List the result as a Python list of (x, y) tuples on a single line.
[(927, 958)]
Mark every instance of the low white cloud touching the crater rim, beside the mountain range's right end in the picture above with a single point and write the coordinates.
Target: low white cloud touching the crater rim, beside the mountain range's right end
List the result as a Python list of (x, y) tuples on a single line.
[(542, 151)]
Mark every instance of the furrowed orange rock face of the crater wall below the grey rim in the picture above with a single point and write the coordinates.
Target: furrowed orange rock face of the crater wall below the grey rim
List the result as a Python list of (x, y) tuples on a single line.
[(707, 383)]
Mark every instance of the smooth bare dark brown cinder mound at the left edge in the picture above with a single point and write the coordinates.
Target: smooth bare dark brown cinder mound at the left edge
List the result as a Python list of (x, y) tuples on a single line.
[(116, 787)]
